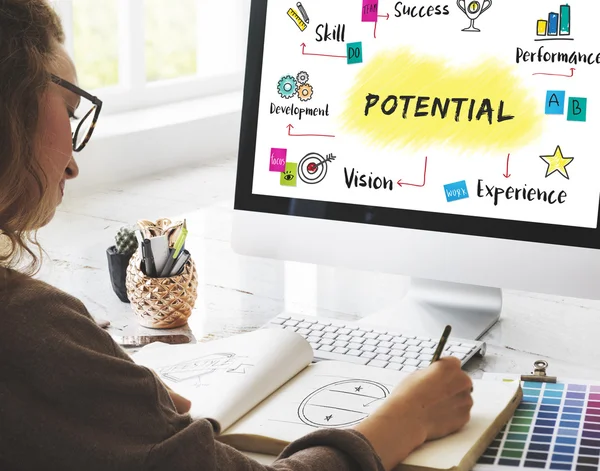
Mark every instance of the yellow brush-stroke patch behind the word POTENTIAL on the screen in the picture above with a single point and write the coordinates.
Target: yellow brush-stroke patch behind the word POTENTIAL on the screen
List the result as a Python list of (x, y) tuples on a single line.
[(405, 73)]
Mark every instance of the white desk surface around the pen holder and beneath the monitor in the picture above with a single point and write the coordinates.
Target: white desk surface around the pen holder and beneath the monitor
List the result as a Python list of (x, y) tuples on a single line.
[(238, 294)]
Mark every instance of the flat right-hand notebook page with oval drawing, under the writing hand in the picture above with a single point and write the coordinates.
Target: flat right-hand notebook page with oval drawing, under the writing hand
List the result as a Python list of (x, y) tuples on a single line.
[(340, 395)]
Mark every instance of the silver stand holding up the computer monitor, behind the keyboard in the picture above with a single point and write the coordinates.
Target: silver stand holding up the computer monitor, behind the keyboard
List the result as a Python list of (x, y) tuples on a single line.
[(431, 305)]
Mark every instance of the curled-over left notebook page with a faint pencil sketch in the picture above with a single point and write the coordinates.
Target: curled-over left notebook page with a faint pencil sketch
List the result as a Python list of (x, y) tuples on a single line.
[(226, 378)]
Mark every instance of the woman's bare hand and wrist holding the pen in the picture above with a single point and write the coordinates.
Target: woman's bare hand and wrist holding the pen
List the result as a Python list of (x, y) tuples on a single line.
[(429, 404)]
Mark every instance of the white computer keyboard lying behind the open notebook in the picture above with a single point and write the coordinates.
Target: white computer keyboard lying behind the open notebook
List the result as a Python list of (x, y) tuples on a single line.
[(332, 339)]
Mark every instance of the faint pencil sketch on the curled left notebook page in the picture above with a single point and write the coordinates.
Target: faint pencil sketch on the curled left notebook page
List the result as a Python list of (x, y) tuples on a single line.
[(205, 365)]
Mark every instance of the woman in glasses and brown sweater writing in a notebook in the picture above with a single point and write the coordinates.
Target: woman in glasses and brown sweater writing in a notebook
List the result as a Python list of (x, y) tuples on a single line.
[(70, 398)]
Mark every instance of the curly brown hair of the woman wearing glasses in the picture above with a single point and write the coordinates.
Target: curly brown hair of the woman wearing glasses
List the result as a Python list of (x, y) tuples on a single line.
[(30, 31)]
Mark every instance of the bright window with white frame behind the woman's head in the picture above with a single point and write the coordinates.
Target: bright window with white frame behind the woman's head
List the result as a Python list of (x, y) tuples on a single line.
[(141, 53)]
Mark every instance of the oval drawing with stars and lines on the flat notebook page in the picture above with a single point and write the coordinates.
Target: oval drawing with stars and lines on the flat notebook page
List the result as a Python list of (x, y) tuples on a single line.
[(341, 404)]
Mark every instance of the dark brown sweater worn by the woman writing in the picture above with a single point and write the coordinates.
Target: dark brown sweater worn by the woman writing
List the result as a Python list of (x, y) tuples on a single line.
[(71, 399)]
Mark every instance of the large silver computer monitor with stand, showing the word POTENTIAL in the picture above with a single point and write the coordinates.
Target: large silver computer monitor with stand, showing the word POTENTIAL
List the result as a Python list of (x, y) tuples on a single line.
[(451, 143)]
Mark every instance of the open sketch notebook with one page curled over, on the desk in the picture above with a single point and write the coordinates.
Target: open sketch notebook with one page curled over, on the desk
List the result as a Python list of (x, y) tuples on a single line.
[(261, 392)]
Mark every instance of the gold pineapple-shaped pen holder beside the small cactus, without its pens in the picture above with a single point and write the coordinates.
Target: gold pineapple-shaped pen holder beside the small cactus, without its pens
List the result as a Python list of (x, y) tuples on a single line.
[(161, 303)]
